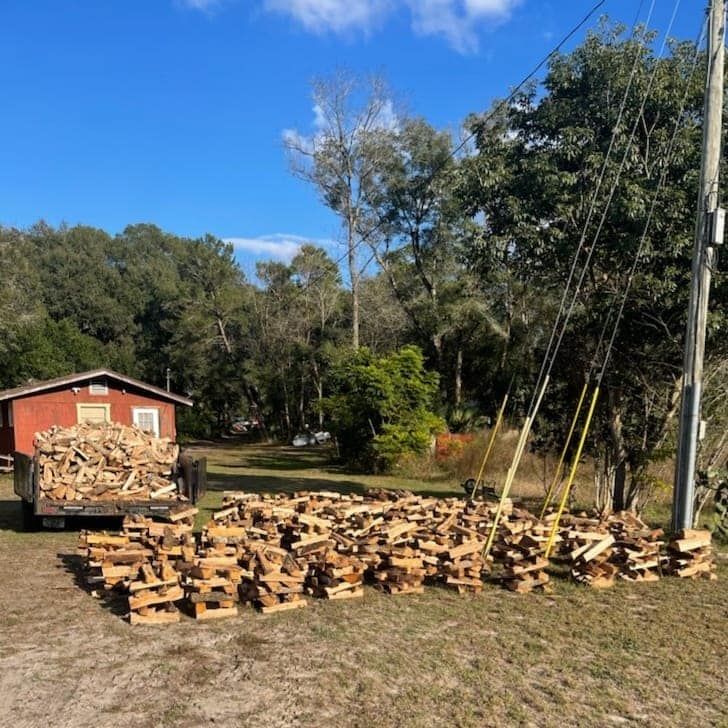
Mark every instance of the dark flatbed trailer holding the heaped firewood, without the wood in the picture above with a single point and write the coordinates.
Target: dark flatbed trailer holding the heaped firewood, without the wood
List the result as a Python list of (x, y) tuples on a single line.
[(189, 473)]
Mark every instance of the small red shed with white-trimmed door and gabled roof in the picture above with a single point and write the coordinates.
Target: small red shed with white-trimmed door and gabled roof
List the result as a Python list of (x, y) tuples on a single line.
[(96, 396)]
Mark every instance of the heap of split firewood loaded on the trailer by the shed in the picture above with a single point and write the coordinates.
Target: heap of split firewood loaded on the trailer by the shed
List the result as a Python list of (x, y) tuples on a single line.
[(105, 461)]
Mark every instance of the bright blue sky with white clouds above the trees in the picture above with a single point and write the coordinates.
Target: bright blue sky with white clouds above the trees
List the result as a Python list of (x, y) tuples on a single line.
[(172, 111)]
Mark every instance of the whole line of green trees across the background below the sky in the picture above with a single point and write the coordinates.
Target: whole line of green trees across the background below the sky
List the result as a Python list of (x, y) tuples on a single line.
[(460, 246)]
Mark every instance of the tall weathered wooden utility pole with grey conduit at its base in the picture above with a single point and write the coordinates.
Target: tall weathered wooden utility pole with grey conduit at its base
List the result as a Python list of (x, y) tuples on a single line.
[(708, 233)]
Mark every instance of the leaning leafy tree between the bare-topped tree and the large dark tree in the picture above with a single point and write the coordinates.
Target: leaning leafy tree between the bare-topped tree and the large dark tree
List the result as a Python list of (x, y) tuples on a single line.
[(421, 251)]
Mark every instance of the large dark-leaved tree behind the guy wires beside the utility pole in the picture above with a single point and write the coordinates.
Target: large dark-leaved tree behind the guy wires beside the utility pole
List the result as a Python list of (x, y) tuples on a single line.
[(555, 145)]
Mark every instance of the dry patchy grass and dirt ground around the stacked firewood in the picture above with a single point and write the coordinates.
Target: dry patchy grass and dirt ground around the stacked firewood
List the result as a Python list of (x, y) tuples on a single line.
[(650, 654)]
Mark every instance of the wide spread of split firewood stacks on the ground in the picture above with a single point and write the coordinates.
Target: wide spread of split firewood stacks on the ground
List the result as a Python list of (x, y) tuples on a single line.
[(274, 552)]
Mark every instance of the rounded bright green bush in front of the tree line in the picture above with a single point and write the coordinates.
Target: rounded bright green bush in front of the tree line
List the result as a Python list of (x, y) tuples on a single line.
[(381, 407)]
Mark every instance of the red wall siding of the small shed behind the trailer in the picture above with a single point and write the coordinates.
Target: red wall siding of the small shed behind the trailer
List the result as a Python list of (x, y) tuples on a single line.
[(39, 411)]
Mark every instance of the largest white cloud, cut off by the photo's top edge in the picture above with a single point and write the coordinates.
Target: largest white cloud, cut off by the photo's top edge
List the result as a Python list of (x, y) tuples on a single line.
[(458, 21)]
